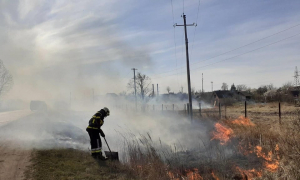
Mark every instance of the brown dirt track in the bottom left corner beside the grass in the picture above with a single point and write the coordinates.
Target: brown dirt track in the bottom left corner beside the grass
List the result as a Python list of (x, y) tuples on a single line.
[(13, 161)]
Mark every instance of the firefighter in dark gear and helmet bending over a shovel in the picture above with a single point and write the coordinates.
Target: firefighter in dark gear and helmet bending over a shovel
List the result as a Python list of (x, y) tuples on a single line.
[(94, 129)]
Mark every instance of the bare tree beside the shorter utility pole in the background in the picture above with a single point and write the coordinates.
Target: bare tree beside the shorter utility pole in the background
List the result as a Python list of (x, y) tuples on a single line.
[(143, 83)]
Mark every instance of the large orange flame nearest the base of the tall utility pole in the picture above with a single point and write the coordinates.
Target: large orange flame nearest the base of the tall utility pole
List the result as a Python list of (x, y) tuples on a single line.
[(222, 133)]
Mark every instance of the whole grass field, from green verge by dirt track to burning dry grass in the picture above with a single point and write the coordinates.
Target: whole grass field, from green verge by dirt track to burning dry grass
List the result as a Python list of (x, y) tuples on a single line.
[(259, 148)]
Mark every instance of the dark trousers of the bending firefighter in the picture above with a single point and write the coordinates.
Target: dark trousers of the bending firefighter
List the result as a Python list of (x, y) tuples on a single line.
[(96, 145)]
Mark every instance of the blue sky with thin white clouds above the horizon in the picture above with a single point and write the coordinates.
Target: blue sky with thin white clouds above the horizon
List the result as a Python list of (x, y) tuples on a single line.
[(53, 47)]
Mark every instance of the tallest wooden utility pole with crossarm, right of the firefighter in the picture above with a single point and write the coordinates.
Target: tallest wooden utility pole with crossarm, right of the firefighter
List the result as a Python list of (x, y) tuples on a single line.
[(187, 64)]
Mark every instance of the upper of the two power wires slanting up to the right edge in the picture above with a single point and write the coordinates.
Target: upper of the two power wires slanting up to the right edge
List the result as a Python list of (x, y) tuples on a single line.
[(237, 48)]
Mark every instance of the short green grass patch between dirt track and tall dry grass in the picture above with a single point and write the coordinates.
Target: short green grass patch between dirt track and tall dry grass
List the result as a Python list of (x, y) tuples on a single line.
[(70, 164)]
